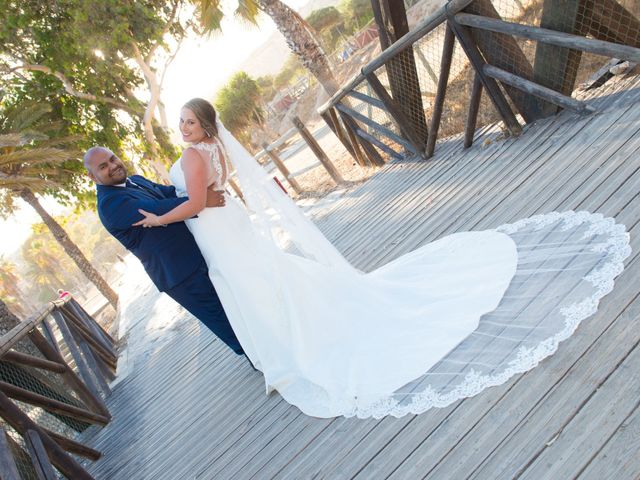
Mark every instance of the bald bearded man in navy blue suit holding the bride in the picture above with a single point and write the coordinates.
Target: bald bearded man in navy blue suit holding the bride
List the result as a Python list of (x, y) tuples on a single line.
[(169, 255)]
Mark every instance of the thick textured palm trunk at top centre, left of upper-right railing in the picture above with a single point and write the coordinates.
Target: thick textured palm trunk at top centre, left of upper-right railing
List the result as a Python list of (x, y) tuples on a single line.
[(301, 41)]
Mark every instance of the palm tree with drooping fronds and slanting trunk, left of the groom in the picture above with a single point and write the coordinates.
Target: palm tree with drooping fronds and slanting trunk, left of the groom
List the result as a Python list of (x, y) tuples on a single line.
[(30, 164)]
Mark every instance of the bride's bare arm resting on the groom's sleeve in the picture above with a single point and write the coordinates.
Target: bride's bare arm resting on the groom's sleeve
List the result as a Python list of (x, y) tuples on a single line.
[(195, 174)]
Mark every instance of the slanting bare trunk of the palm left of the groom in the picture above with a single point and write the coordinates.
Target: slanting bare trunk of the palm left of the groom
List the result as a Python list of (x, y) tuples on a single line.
[(71, 248)]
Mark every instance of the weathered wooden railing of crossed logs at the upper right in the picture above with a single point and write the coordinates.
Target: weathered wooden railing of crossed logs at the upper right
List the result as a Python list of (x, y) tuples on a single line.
[(389, 129)]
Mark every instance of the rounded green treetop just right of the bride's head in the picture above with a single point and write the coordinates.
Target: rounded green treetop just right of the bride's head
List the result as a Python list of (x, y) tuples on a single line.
[(237, 103)]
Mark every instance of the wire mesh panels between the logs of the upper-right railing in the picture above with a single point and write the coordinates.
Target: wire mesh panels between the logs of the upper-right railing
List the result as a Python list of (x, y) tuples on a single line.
[(411, 75)]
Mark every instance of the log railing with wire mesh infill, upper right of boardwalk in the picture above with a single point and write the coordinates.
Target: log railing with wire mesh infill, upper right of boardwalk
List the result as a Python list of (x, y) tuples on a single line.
[(474, 41)]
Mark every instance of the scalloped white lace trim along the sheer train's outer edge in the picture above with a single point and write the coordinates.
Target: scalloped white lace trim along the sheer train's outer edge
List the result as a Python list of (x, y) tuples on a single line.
[(617, 249)]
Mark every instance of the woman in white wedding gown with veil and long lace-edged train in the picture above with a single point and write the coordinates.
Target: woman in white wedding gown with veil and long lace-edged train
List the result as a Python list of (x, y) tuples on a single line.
[(438, 324)]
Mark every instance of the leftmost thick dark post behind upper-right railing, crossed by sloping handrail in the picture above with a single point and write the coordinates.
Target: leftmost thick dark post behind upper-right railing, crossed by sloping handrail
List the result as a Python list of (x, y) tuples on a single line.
[(391, 18)]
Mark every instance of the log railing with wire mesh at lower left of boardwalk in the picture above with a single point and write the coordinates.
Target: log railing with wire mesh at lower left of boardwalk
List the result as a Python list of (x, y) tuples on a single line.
[(54, 373)]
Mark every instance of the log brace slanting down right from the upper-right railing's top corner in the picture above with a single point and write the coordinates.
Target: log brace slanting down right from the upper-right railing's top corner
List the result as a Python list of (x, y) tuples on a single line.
[(471, 49)]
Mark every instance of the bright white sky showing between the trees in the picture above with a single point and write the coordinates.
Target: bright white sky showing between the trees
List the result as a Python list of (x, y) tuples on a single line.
[(202, 66)]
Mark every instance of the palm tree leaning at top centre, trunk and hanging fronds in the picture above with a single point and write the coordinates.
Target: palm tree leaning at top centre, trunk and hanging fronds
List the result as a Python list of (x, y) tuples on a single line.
[(298, 34)]
